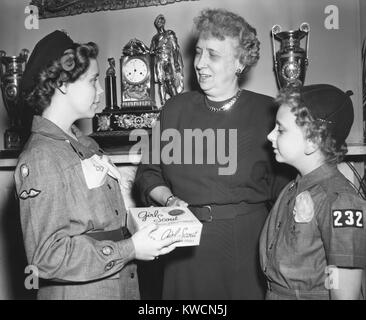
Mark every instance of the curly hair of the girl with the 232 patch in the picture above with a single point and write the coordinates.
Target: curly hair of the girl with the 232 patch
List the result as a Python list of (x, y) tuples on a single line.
[(316, 130)]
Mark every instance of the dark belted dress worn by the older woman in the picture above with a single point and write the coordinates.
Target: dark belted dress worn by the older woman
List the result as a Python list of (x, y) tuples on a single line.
[(226, 264)]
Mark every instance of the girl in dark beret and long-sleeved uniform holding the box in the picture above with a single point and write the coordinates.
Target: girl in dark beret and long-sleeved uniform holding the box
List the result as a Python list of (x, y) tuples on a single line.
[(71, 207)]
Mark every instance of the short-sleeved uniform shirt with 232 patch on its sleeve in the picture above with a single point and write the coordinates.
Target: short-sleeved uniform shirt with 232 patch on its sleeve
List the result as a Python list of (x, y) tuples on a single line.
[(317, 222)]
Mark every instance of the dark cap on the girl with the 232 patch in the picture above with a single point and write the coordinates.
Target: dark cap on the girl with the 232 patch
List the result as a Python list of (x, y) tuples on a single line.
[(330, 104)]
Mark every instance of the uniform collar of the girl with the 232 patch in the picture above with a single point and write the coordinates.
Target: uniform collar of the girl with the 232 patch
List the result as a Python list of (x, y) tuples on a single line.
[(323, 172)]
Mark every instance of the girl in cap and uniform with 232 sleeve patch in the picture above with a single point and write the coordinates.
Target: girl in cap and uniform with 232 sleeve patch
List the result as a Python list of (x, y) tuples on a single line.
[(313, 244)]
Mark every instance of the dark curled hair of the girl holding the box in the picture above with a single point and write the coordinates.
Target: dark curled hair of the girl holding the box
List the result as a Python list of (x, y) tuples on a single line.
[(67, 69)]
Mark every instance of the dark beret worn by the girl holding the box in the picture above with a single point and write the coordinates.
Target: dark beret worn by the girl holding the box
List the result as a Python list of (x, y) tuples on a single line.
[(48, 49)]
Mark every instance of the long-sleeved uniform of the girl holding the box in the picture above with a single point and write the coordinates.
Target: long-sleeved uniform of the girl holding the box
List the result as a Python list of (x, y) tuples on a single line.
[(72, 211)]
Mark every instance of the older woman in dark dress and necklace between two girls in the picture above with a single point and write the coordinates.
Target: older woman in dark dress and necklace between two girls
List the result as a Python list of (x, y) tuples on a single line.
[(230, 202)]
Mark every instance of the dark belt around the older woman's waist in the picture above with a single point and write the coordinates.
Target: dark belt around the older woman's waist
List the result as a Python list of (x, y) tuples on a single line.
[(208, 213)]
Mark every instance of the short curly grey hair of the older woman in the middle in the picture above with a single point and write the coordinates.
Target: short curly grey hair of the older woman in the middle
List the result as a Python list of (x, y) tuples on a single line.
[(220, 23)]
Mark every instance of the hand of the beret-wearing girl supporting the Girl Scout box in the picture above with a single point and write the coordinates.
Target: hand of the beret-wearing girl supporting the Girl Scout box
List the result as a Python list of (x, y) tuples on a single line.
[(147, 247)]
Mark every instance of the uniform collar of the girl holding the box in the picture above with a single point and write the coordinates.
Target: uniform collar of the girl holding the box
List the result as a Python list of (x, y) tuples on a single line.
[(84, 146)]
